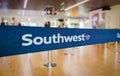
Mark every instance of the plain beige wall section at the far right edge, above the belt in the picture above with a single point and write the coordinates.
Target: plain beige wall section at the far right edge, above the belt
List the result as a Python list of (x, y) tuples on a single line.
[(113, 17)]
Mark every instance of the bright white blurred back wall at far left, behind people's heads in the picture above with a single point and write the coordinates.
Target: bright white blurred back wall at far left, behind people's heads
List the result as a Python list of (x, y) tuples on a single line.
[(24, 16)]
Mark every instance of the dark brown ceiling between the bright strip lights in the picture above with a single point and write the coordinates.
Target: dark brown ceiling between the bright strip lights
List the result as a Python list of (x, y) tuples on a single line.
[(42, 4)]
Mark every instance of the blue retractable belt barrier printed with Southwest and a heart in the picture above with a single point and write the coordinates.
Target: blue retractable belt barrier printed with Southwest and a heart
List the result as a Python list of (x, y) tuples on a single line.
[(16, 40)]
